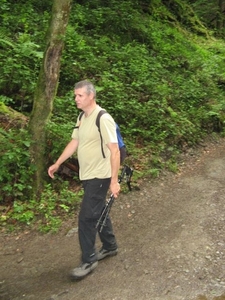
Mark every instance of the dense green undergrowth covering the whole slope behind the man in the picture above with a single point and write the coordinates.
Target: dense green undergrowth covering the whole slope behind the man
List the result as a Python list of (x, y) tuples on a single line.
[(158, 70)]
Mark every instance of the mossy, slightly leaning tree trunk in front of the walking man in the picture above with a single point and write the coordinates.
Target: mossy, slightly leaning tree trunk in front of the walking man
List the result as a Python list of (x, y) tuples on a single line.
[(46, 88)]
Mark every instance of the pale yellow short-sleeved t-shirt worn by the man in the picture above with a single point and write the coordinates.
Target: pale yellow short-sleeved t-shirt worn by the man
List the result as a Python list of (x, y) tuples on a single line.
[(91, 161)]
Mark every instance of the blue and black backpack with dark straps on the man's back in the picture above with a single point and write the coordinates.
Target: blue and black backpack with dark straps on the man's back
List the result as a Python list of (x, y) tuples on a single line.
[(121, 144)]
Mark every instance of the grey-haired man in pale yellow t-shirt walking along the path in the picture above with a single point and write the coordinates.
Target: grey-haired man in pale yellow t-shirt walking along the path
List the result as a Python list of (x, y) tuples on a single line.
[(97, 174)]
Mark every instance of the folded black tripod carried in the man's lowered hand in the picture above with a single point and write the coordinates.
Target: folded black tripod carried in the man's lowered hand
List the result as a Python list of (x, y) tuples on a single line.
[(105, 212)]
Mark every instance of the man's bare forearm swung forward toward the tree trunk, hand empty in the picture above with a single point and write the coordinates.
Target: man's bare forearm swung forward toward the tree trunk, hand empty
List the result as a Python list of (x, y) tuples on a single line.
[(67, 152)]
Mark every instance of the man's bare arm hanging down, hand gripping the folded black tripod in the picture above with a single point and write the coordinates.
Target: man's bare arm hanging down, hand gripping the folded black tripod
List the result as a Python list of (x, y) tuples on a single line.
[(115, 166)]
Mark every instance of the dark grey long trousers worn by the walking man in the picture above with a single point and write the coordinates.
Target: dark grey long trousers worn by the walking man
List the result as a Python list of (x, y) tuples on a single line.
[(95, 191)]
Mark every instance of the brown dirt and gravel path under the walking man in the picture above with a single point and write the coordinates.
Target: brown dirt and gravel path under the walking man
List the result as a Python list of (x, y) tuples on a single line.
[(171, 237)]
